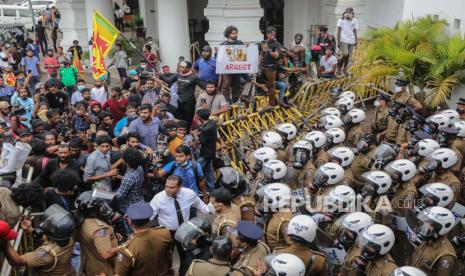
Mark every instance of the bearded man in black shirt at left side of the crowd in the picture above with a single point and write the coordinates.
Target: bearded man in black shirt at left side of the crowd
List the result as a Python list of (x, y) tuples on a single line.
[(62, 161)]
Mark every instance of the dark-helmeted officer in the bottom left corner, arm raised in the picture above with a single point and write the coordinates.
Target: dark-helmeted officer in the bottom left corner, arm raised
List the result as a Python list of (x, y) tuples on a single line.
[(53, 256)]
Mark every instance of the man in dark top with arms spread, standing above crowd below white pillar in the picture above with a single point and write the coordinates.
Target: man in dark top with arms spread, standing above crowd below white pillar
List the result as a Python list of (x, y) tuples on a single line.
[(186, 81)]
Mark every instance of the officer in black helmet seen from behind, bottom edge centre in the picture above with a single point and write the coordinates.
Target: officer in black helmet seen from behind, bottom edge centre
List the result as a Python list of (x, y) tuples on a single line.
[(220, 249)]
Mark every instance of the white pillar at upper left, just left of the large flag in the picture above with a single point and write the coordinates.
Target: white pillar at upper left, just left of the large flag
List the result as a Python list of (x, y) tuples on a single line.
[(73, 22)]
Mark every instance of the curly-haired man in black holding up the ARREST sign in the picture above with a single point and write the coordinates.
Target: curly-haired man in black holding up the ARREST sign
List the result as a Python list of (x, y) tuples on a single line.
[(232, 81)]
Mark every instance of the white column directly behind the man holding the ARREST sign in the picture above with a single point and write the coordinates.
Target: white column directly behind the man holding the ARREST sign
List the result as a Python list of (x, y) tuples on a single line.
[(244, 14)]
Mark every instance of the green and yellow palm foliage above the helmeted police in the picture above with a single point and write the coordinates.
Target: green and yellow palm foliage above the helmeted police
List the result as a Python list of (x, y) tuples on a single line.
[(420, 48)]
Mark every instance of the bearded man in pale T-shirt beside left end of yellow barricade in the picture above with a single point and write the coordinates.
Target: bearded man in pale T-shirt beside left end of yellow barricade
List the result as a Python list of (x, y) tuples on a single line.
[(211, 100)]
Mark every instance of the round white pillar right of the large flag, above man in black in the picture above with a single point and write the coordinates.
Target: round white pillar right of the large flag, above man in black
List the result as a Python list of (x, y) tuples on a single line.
[(173, 31)]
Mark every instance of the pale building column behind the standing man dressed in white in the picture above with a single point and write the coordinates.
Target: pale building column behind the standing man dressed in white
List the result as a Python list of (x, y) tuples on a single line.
[(333, 9)]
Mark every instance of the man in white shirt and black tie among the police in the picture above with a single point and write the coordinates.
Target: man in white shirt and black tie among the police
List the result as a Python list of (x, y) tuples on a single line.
[(164, 206)]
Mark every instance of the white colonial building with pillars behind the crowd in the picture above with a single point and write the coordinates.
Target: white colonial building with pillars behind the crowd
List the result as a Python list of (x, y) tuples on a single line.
[(176, 23)]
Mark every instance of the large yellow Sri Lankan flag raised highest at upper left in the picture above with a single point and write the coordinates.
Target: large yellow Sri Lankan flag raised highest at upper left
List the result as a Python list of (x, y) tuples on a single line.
[(103, 36)]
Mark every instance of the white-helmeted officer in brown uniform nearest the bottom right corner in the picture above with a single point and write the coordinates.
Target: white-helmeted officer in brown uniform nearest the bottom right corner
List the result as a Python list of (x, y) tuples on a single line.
[(435, 255)]
